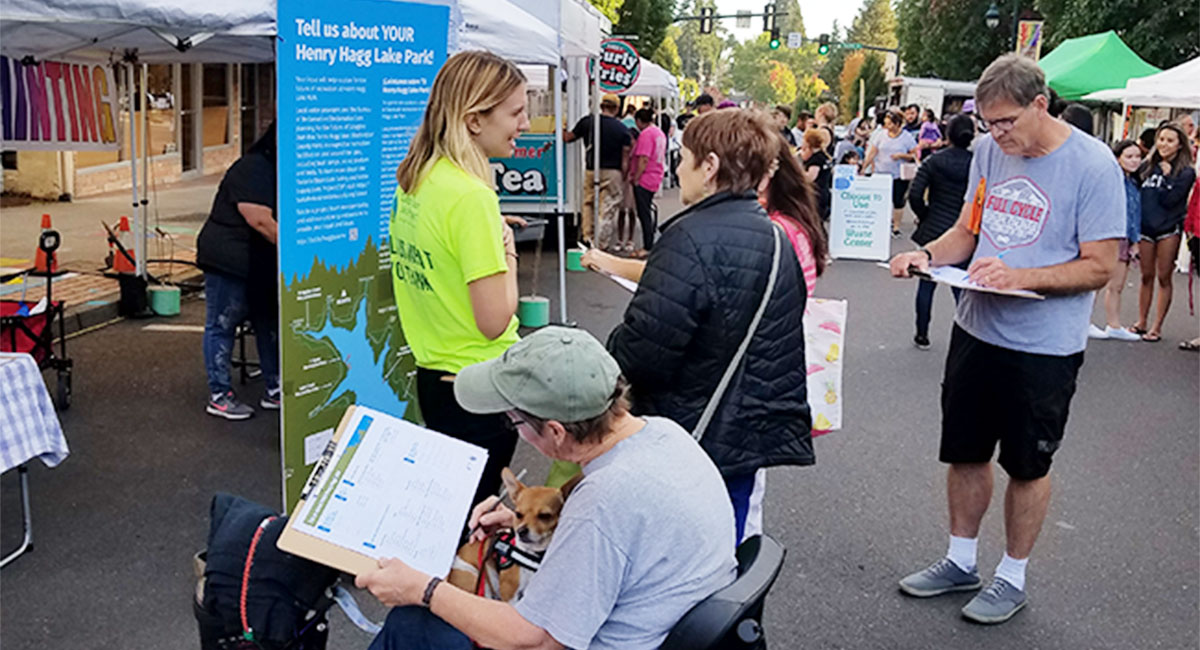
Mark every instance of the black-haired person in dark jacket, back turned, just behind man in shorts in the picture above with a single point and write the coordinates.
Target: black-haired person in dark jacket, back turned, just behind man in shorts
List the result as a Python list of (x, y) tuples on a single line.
[(945, 176)]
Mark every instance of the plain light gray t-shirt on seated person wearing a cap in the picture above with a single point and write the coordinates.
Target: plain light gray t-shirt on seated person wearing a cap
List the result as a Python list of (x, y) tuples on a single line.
[(644, 538)]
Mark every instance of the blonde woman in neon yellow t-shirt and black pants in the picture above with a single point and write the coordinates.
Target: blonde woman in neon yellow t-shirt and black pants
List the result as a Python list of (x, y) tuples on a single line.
[(453, 258)]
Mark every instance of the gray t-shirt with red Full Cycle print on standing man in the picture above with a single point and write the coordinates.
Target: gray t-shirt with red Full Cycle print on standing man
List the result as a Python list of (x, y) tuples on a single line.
[(1036, 213)]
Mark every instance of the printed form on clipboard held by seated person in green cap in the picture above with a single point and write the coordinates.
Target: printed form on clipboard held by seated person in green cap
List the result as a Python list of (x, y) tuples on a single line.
[(386, 489)]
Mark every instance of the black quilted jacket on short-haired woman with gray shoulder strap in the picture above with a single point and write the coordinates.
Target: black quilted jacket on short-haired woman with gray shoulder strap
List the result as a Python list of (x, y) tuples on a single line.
[(703, 285)]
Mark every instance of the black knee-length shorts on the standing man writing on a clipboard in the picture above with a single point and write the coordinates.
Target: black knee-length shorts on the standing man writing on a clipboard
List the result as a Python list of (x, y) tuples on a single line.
[(1021, 400)]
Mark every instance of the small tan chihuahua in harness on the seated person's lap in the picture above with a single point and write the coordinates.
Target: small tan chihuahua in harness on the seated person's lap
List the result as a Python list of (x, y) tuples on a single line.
[(537, 511)]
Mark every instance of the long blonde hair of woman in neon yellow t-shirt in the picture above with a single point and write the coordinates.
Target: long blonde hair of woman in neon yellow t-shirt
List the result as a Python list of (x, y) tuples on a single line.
[(470, 82)]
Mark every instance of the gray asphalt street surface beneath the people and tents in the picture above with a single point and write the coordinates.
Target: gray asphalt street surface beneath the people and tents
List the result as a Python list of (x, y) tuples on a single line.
[(1118, 565)]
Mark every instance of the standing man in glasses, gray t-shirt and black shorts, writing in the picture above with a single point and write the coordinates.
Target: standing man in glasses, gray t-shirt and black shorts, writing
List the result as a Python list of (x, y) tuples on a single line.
[(1045, 212)]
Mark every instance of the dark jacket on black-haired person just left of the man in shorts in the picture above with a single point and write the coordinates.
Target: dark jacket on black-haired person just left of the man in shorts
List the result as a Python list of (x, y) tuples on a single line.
[(946, 176)]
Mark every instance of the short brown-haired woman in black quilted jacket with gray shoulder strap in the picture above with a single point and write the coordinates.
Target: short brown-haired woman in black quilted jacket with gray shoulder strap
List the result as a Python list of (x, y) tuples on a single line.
[(699, 293)]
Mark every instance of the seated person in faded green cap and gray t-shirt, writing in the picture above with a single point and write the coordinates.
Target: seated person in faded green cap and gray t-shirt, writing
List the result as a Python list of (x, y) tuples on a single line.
[(646, 535)]
